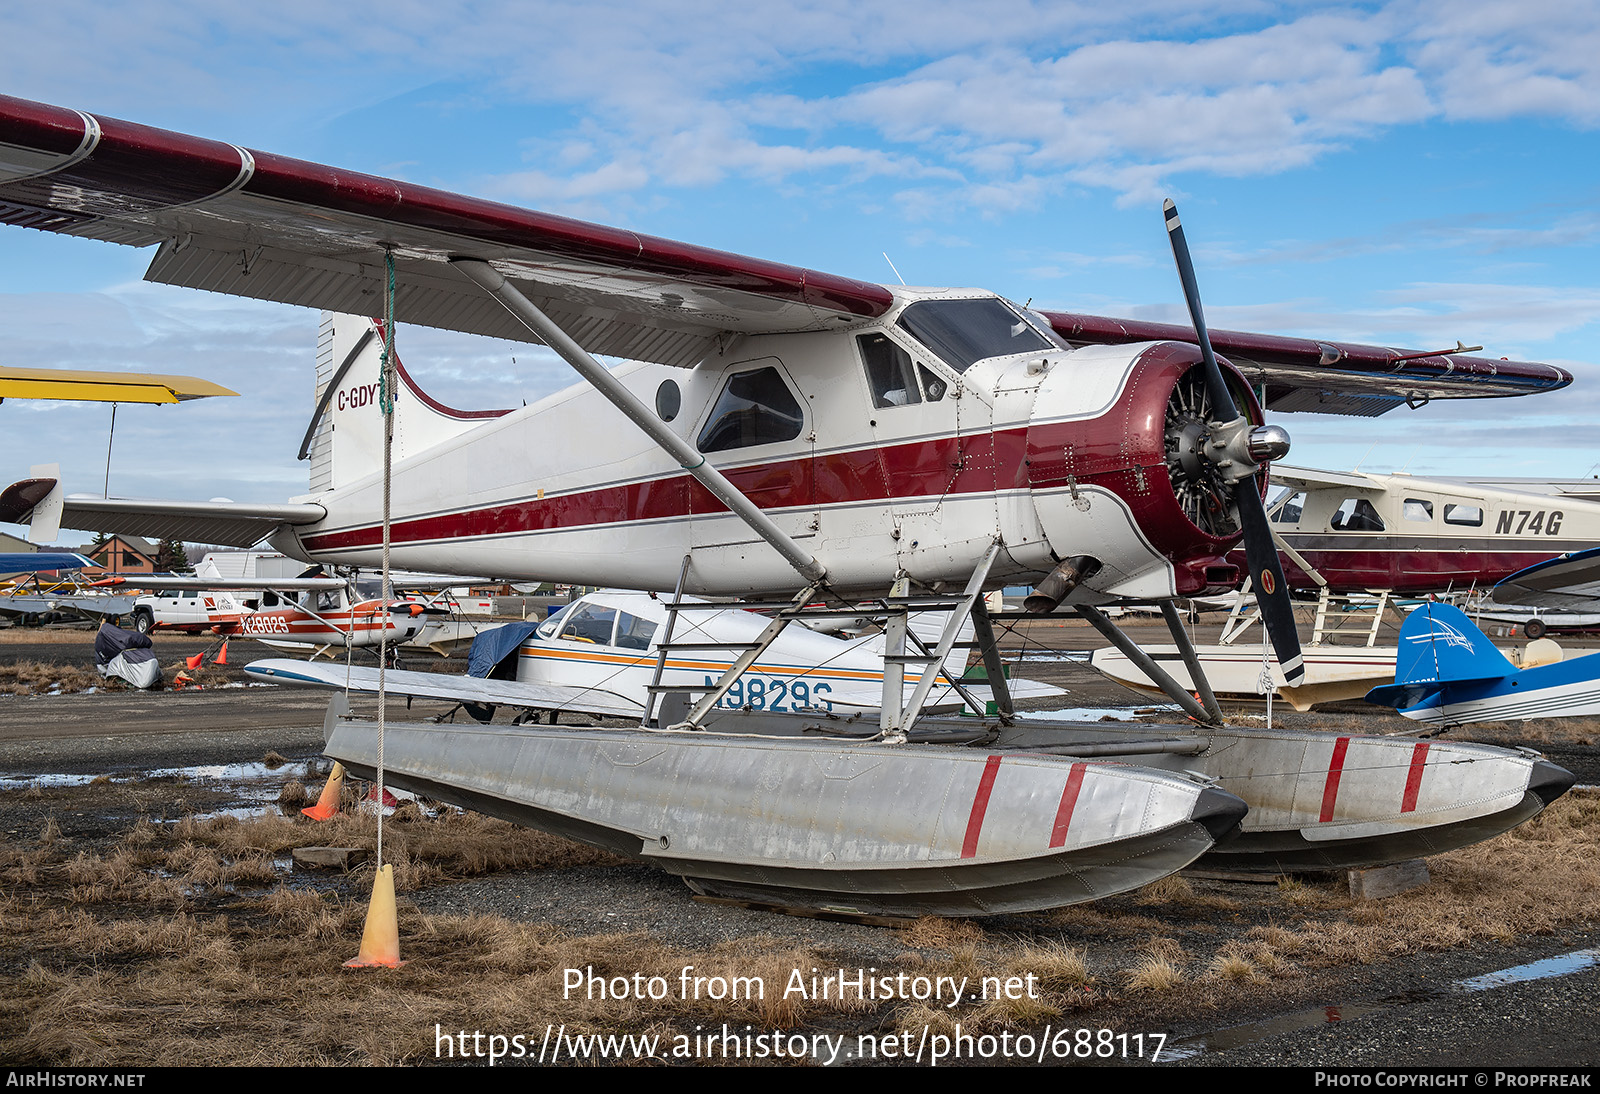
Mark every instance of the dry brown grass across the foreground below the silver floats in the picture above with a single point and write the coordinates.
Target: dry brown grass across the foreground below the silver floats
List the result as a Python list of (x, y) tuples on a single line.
[(182, 944)]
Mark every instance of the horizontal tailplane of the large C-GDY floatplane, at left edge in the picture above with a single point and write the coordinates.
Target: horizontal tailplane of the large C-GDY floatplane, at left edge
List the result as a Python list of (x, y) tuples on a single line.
[(226, 524)]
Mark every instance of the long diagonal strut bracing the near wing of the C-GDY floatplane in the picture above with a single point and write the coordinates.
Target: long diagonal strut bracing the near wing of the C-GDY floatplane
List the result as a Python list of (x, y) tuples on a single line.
[(495, 284)]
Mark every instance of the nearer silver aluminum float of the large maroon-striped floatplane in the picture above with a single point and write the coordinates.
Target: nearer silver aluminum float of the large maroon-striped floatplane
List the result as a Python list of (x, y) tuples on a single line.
[(826, 824)]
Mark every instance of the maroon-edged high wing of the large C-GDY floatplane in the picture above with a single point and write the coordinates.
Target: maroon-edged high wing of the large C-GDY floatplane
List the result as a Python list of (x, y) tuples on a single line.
[(273, 228)]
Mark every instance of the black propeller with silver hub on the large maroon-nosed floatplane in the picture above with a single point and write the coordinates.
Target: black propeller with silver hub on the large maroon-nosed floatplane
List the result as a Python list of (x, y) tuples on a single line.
[(1239, 453)]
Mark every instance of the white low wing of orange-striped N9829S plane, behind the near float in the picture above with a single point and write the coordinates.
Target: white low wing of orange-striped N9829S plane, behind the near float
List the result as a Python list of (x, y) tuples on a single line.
[(450, 689)]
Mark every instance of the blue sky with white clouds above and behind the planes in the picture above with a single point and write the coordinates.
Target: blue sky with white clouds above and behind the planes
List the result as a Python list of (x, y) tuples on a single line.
[(1406, 174)]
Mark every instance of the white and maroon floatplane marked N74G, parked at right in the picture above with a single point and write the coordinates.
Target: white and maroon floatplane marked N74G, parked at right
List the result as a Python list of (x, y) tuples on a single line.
[(1358, 543)]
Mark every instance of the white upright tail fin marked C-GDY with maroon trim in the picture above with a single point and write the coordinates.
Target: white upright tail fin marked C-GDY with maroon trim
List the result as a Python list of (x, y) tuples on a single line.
[(346, 437)]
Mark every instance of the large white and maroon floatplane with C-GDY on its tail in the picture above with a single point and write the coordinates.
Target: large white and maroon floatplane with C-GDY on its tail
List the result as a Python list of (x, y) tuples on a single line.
[(799, 439)]
